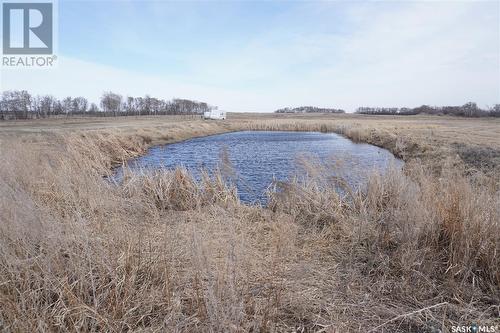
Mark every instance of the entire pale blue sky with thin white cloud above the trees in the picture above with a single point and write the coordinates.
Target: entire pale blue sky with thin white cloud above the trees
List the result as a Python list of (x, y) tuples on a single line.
[(260, 56)]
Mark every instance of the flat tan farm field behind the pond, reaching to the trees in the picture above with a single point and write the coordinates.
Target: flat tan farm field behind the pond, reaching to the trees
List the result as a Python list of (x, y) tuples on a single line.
[(475, 140)]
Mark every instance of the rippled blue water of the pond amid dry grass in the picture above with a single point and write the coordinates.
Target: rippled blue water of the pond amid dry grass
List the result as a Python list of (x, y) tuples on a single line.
[(258, 158)]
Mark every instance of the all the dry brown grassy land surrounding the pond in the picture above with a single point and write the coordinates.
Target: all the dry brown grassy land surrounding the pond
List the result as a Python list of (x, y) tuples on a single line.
[(417, 251)]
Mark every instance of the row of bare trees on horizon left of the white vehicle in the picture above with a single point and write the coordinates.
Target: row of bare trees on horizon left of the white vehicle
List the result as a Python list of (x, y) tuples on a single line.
[(22, 105)]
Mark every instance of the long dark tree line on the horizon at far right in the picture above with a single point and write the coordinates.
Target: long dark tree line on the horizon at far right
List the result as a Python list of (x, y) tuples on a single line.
[(466, 110)]
